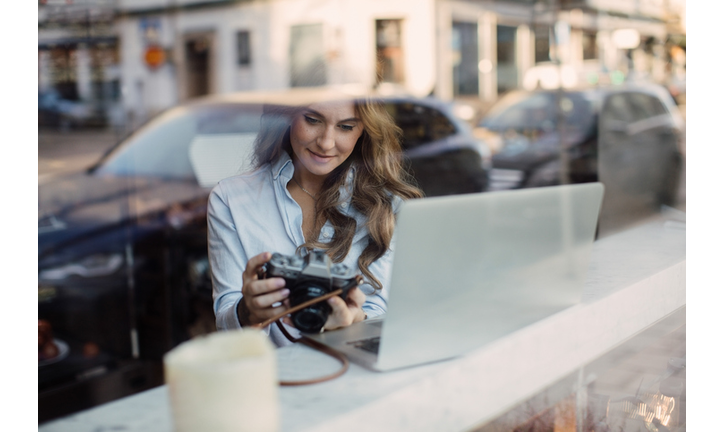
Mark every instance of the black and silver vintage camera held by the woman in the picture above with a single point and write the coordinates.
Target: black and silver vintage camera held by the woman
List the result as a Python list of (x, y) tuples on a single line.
[(308, 277)]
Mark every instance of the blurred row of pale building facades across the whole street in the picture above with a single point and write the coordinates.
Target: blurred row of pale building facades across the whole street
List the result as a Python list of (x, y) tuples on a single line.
[(163, 52)]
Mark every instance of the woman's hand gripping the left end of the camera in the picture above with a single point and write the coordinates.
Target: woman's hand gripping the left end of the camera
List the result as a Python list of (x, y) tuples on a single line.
[(258, 295)]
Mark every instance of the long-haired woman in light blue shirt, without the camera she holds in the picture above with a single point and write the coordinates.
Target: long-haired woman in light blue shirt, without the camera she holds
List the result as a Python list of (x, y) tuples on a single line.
[(327, 176)]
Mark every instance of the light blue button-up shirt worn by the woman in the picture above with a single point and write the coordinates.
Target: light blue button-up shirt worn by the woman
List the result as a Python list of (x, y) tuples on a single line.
[(253, 213)]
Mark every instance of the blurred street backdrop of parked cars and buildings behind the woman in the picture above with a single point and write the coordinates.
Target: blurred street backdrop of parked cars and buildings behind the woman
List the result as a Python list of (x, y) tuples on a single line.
[(491, 95)]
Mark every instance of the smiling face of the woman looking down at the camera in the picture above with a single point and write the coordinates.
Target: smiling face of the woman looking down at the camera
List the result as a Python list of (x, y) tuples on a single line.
[(323, 135)]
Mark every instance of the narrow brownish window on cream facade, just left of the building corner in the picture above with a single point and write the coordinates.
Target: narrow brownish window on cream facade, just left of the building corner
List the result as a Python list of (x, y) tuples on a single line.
[(389, 51)]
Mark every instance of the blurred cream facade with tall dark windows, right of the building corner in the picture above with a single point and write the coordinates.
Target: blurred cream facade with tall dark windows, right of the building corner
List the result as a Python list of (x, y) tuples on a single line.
[(487, 48)]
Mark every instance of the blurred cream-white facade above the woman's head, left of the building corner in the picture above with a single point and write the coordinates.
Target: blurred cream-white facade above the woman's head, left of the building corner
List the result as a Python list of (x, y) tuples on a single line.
[(230, 46)]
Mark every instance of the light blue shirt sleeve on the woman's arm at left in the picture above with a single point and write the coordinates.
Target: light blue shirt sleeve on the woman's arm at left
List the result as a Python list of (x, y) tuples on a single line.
[(227, 260)]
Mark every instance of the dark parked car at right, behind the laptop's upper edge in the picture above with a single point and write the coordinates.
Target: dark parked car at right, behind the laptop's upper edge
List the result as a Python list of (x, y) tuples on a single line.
[(628, 137)]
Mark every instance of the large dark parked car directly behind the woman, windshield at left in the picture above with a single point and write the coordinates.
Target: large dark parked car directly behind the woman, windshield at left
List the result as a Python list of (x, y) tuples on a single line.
[(122, 258)]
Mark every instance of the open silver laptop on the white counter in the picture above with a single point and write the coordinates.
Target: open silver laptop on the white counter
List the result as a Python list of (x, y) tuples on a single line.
[(470, 269)]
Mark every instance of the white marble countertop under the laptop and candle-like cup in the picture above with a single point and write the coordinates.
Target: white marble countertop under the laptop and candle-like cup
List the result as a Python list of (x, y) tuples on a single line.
[(636, 277)]
